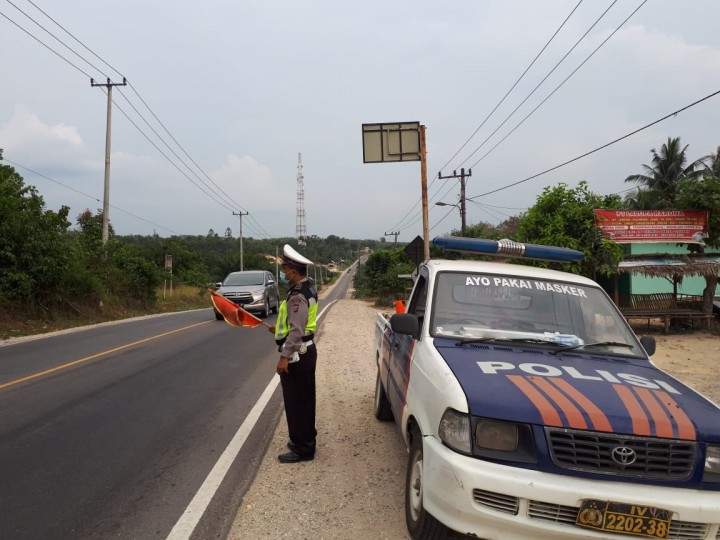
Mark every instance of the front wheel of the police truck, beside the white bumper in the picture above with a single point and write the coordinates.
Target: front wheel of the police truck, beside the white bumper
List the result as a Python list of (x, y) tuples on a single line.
[(420, 523)]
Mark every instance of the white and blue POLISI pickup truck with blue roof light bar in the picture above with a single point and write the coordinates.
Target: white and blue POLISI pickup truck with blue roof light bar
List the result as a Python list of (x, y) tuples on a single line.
[(532, 411)]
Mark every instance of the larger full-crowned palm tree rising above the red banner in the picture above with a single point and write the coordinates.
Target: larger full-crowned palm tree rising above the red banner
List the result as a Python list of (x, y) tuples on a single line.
[(668, 168)]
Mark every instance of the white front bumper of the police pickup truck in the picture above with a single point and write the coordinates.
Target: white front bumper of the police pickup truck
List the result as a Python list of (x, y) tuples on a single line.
[(494, 501)]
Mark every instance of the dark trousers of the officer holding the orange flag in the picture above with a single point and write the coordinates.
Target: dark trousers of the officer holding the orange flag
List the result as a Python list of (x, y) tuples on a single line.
[(298, 386)]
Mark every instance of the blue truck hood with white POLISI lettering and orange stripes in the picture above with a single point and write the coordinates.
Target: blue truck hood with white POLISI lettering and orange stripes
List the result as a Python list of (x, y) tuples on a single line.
[(579, 391)]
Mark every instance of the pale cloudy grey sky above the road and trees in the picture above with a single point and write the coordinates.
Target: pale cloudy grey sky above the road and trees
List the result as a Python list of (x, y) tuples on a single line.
[(223, 97)]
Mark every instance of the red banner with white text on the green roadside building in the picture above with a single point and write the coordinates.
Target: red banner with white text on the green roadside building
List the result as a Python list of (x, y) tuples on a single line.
[(679, 226)]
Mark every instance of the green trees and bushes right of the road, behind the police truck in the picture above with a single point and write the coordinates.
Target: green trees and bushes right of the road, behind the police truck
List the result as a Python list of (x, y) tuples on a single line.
[(563, 216)]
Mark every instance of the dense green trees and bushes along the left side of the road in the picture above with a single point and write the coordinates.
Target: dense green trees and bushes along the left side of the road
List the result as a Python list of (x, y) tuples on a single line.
[(55, 273)]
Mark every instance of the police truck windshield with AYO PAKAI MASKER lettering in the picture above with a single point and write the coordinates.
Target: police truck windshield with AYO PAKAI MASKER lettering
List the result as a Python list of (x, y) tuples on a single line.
[(471, 305)]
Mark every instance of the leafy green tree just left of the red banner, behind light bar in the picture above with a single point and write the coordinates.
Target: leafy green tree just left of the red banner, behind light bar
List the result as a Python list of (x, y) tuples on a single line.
[(563, 216)]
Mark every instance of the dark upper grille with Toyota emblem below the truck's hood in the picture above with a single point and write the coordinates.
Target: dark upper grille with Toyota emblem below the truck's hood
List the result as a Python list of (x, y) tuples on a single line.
[(599, 453)]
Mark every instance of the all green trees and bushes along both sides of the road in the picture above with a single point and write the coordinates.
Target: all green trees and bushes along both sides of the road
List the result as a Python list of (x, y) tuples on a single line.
[(55, 273)]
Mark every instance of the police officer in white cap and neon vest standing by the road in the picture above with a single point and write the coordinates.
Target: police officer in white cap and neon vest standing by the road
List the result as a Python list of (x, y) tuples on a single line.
[(294, 333)]
